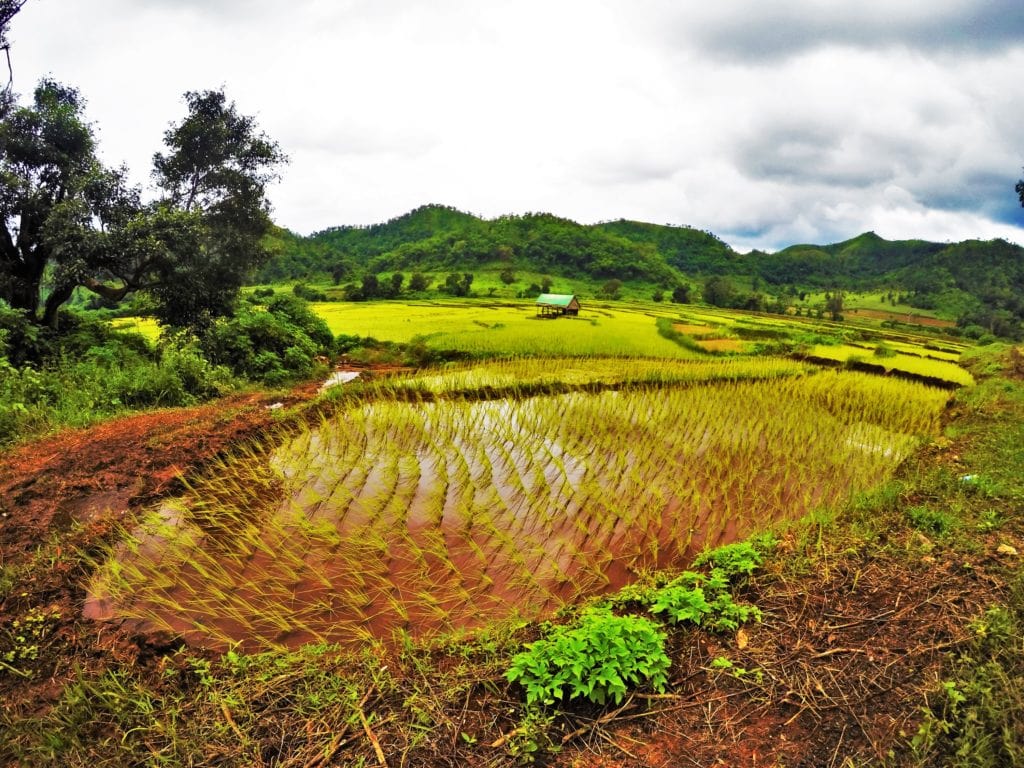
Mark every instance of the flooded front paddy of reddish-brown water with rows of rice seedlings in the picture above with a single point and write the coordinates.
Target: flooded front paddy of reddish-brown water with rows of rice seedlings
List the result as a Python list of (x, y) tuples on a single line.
[(426, 518)]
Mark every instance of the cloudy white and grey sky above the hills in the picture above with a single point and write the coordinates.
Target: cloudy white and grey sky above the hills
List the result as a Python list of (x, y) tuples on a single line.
[(766, 123)]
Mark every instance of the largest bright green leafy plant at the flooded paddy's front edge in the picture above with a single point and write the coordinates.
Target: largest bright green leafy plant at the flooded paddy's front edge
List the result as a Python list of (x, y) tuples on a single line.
[(596, 659)]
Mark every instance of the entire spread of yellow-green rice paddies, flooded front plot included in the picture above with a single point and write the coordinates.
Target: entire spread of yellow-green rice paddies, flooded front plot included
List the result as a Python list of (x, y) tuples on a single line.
[(573, 456)]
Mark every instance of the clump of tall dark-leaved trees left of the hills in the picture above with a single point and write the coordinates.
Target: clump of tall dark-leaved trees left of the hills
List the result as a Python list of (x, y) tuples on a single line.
[(68, 222)]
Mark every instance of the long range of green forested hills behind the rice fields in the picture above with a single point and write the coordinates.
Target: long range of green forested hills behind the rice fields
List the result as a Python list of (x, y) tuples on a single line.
[(980, 282)]
